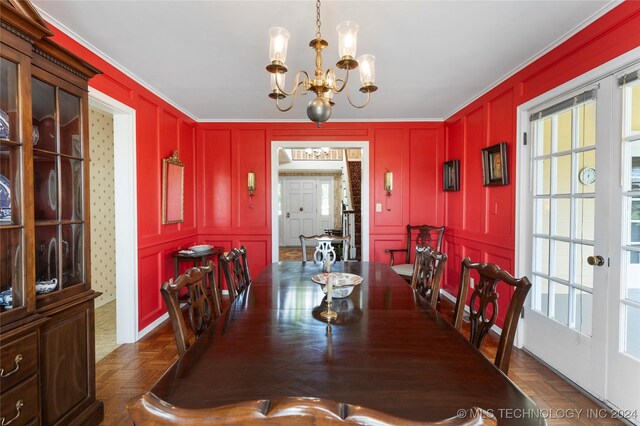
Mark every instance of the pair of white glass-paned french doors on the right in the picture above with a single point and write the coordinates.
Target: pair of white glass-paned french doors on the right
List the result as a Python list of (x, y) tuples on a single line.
[(583, 231)]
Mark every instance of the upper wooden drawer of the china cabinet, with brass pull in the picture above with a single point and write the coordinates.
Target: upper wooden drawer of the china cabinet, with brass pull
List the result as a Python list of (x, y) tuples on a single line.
[(18, 360)]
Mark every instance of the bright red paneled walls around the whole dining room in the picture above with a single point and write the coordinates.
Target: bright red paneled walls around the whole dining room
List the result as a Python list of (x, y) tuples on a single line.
[(480, 221)]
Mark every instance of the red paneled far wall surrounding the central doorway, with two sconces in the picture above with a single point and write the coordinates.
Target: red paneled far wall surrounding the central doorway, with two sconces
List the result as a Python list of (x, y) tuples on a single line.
[(228, 151)]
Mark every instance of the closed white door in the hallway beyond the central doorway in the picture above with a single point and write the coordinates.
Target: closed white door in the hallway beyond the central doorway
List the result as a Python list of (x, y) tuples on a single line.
[(300, 205)]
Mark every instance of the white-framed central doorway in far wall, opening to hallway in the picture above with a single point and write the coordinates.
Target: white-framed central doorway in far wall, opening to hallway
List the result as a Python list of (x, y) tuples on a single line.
[(311, 187)]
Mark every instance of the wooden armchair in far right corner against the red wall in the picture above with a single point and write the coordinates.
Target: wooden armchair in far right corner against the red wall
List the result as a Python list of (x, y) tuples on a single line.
[(417, 235)]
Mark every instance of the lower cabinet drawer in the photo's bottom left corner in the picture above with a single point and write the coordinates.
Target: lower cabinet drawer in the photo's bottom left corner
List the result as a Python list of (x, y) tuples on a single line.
[(20, 403)]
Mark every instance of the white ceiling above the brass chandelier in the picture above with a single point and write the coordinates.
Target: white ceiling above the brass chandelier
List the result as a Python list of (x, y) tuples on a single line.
[(208, 58)]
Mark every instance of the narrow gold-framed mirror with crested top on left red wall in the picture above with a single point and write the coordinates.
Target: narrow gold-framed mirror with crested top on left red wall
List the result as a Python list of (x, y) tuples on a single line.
[(172, 190)]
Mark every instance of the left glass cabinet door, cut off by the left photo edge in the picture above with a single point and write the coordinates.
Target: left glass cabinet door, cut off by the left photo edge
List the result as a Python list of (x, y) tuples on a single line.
[(11, 218)]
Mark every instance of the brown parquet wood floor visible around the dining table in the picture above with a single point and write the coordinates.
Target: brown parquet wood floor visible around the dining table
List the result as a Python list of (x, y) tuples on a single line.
[(133, 368)]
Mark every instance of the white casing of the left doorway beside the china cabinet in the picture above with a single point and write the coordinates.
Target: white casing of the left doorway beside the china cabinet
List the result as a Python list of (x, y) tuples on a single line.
[(124, 214)]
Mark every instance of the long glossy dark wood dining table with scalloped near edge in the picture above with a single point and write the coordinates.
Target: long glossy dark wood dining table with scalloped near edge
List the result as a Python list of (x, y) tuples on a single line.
[(387, 351)]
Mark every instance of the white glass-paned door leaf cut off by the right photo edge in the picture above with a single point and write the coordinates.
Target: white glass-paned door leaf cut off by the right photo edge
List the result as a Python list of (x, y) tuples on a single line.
[(623, 385)]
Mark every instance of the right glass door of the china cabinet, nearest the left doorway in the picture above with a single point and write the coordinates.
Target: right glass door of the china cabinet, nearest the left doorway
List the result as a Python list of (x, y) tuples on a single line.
[(58, 166)]
